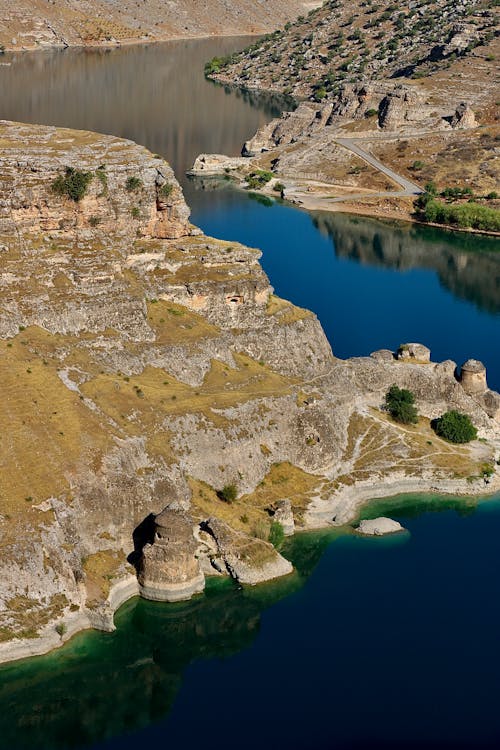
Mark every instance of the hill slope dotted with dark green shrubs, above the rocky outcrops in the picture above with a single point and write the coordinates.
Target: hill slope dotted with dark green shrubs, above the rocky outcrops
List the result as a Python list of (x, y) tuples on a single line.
[(364, 40)]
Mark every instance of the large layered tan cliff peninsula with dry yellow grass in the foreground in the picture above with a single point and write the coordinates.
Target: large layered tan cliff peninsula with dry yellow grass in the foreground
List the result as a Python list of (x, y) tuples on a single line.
[(164, 411)]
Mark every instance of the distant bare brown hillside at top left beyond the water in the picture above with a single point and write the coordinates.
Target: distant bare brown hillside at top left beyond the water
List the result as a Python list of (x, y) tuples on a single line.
[(31, 24)]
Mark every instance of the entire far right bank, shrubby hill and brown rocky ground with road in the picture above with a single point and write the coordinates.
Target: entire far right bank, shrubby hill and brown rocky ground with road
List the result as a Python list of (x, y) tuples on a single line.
[(415, 86)]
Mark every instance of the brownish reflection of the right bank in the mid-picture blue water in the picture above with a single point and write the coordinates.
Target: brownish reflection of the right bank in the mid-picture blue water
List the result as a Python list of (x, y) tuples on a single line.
[(467, 265)]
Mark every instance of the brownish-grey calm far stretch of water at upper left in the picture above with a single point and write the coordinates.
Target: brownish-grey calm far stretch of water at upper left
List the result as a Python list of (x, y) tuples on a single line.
[(155, 95)]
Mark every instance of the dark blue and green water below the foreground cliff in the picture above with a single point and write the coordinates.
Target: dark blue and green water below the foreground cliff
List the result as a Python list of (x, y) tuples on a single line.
[(372, 643)]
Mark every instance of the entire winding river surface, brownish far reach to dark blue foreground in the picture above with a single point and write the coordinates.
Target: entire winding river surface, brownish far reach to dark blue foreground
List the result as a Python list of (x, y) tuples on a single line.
[(370, 643)]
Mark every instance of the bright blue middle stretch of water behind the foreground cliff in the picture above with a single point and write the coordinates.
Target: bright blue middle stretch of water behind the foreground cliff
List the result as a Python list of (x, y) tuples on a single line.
[(372, 284)]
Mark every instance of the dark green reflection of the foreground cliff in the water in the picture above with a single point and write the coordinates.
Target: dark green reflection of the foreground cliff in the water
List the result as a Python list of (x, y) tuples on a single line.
[(101, 686)]
